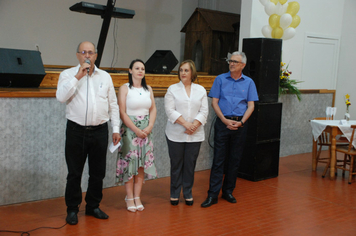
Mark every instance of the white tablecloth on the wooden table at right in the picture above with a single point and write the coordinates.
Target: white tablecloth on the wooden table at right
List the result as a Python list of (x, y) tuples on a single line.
[(319, 125)]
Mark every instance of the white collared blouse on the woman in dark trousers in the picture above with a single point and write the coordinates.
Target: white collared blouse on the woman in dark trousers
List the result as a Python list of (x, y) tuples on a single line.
[(177, 103)]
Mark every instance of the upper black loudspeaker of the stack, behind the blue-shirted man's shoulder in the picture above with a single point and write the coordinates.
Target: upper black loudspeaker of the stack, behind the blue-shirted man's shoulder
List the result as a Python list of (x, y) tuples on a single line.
[(263, 65)]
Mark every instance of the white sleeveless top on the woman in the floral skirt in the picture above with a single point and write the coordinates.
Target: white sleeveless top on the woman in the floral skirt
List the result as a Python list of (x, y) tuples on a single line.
[(138, 101)]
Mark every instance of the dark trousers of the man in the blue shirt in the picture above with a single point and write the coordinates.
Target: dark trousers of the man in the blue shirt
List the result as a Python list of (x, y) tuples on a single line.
[(228, 148)]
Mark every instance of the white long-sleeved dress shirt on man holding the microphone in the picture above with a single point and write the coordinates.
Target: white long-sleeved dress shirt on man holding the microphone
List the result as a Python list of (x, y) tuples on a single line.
[(91, 101)]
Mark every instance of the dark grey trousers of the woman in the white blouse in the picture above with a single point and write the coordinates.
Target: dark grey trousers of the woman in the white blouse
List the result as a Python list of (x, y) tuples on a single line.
[(183, 158)]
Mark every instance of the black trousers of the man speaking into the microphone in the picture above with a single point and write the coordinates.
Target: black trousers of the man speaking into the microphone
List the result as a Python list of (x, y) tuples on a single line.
[(82, 142)]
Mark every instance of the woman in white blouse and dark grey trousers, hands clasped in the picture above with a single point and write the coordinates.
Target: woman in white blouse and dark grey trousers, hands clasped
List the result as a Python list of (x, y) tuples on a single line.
[(186, 106)]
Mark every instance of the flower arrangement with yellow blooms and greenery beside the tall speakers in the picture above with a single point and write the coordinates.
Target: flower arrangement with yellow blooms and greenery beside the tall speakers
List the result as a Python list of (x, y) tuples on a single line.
[(286, 84)]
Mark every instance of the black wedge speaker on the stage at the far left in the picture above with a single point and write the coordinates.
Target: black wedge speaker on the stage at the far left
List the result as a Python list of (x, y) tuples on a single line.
[(20, 68)]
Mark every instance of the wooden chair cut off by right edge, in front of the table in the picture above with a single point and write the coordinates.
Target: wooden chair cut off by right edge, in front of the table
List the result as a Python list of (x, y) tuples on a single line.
[(348, 164)]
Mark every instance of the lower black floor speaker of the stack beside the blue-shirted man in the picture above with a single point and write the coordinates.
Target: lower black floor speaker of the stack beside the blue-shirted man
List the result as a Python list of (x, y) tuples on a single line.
[(260, 158)]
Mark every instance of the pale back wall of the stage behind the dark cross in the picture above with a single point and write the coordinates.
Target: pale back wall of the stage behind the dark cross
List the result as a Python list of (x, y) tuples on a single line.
[(57, 30)]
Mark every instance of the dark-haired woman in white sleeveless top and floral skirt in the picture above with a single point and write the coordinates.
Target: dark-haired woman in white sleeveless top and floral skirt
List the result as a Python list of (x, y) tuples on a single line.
[(138, 113)]
